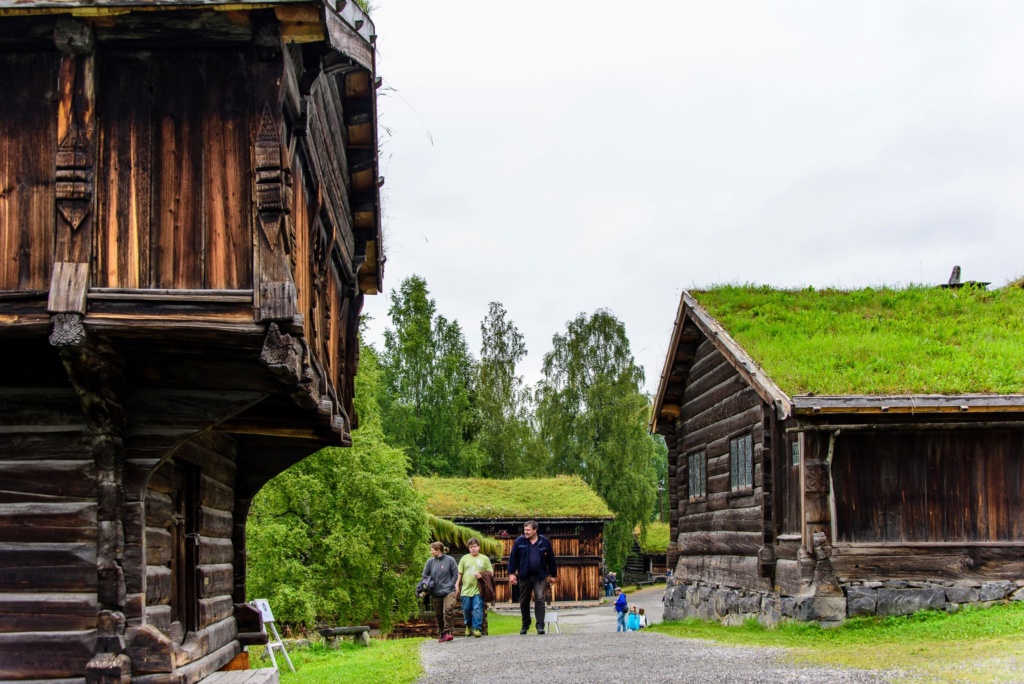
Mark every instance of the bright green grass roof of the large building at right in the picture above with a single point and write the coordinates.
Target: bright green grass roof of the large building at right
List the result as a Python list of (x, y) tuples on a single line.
[(916, 340)]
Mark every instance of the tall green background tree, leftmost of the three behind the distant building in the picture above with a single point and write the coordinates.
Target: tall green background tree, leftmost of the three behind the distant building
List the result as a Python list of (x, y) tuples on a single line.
[(430, 376)]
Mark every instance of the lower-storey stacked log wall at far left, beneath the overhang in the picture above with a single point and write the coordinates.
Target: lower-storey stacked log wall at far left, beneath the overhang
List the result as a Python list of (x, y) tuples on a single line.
[(49, 534)]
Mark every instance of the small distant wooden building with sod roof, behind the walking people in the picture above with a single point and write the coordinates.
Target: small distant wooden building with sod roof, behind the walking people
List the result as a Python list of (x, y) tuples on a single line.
[(568, 511)]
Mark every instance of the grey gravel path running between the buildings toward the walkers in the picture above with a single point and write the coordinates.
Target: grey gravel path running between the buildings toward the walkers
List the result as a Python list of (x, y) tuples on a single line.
[(588, 651)]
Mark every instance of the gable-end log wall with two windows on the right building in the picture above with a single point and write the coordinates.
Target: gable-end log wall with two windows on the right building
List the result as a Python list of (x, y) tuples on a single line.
[(718, 537)]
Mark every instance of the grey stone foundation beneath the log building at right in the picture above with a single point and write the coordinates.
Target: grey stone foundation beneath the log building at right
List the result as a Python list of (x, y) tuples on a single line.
[(734, 607)]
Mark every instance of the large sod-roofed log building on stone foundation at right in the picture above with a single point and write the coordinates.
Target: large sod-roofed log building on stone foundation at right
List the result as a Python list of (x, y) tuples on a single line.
[(818, 471)]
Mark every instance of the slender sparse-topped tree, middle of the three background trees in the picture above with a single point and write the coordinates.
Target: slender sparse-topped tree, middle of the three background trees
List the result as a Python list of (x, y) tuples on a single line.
[(506, 437)]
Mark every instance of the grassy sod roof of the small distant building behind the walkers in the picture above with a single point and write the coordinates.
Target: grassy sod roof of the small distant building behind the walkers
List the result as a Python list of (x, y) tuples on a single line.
[(563, 498)]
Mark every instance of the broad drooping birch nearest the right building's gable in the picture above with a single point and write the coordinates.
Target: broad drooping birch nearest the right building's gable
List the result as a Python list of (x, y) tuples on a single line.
[(593, 418)]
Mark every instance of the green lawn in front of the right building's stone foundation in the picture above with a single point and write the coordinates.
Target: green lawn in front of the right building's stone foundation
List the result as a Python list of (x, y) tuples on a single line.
[(982, 646)]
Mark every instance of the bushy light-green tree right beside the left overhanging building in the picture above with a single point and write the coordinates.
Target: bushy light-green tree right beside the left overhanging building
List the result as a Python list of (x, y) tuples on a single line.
[(342, 536)]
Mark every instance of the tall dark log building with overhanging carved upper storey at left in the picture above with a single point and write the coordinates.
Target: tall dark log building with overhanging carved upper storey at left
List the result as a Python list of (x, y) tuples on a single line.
[(189, 223)]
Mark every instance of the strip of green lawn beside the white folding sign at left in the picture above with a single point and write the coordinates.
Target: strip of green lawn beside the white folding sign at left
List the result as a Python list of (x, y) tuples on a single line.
[(385, 662)]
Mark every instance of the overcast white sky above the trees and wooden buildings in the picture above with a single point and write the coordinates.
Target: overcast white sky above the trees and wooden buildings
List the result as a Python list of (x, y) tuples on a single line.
[(561, 157)]
